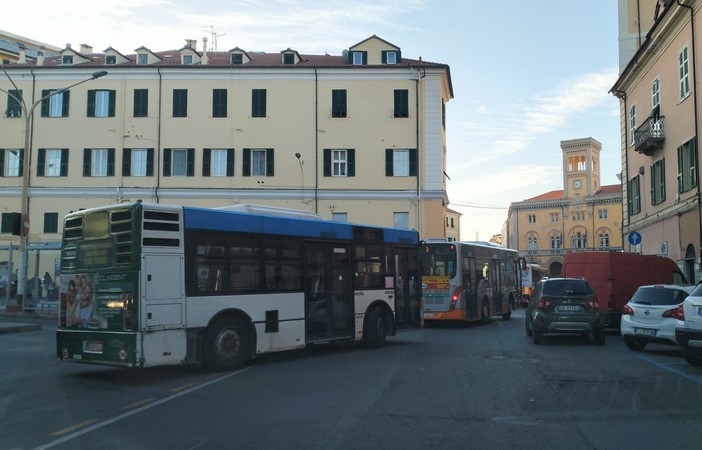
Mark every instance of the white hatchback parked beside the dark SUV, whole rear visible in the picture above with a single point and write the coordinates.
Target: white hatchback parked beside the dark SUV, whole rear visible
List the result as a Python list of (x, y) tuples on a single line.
[(651, 315)]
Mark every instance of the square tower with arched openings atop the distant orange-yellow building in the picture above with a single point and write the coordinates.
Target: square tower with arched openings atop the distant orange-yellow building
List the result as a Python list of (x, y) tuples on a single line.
[(581, 167)]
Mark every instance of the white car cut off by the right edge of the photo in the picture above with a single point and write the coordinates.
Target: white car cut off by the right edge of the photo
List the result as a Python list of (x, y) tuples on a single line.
[(689, 330)]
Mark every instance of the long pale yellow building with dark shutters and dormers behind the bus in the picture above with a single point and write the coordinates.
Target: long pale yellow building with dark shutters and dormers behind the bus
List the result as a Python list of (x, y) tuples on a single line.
[(358, 136)]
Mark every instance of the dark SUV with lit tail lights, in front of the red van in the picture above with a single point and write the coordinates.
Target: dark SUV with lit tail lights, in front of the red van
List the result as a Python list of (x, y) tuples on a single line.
[(564, 305)]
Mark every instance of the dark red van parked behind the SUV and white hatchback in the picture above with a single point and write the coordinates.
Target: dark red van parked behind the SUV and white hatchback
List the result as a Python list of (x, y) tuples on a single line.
[(615, 276)]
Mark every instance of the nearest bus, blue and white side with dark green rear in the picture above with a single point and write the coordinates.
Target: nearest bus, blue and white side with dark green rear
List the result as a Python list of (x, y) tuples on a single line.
[(151, 284)]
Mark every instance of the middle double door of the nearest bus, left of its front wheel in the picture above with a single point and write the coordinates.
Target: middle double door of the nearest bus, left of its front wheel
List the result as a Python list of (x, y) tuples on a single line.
[(328, 294)]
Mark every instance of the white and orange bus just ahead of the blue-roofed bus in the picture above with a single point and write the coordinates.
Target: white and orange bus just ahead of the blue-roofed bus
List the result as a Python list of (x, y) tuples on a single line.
[(468, 281)]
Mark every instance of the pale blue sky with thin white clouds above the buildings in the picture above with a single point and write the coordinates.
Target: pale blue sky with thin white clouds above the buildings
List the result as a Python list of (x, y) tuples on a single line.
[(526, 74)]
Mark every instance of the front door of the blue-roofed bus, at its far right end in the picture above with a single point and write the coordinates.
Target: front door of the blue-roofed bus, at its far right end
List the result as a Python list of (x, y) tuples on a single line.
[(407, 306)]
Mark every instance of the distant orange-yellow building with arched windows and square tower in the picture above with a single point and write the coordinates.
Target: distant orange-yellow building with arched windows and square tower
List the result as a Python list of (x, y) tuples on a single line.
[(584, 215)]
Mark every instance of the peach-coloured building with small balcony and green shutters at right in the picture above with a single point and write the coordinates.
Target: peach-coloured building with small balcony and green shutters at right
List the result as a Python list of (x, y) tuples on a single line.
[(659, 123)]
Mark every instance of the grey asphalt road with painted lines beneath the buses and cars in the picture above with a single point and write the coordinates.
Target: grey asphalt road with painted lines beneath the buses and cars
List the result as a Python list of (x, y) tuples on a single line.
[(475, 386)]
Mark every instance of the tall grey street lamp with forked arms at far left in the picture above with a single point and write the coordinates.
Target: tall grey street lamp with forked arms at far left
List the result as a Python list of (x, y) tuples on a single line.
[(24, 221)]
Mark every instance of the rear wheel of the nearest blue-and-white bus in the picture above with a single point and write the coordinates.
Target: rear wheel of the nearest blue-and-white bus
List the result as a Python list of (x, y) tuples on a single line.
[(227, 344)]
